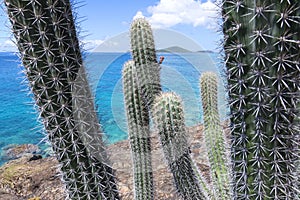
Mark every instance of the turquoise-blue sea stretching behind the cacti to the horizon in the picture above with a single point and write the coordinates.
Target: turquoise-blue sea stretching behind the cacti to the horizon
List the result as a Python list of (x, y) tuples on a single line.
[(180, 73)]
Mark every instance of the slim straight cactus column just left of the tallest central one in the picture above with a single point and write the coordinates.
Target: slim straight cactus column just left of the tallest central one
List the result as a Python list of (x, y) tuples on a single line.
[(139, 133)]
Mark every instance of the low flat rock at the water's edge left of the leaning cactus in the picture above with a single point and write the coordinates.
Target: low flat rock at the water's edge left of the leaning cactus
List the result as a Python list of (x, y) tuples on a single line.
[(17, 151)]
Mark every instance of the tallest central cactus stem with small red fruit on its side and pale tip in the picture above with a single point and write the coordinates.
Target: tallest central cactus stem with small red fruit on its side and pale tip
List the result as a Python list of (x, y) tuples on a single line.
[(144, 56)]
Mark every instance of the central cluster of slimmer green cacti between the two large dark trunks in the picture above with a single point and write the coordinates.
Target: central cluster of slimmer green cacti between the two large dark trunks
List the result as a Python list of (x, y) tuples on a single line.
[(144, 99)]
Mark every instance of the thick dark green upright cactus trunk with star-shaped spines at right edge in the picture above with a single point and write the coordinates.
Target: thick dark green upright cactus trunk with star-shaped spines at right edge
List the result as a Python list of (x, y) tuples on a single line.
[(262, 59)]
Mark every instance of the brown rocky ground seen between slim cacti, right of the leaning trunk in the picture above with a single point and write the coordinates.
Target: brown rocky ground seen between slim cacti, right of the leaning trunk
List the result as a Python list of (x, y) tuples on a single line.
[(120, 156)]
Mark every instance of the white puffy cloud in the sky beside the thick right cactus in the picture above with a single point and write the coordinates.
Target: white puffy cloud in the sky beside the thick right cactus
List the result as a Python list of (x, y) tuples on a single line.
[(168, 13)]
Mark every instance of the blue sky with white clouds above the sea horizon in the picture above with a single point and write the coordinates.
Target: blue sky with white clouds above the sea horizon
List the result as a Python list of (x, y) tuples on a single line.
[(101, 20)]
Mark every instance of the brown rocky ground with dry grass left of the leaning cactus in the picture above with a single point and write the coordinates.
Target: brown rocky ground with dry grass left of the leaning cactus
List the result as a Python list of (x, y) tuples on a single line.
[(38, 178)]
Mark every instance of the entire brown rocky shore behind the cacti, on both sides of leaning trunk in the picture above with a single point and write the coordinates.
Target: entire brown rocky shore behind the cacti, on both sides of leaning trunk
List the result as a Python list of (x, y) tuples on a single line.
[(22, 179)]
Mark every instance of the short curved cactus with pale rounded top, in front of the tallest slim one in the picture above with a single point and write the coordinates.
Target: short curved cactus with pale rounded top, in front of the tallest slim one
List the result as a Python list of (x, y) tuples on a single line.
[(169, 120)]
